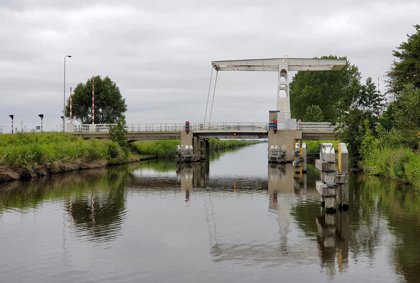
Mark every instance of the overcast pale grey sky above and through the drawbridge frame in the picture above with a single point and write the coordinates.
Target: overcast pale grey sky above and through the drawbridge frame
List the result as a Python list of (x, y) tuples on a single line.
[(159, 52)]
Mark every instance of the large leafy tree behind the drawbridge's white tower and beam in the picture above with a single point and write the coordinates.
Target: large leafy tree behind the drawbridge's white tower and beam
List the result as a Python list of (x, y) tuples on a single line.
[(331, 91)]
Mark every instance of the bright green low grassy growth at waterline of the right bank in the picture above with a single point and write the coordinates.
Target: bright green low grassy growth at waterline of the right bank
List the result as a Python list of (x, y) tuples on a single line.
[(401, 164)]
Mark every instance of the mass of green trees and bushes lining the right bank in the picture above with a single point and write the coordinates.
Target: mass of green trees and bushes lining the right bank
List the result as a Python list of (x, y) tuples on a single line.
[(390, 142)]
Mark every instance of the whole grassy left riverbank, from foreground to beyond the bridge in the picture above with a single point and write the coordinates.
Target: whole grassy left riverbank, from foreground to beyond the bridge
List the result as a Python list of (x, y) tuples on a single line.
[(29, 155)]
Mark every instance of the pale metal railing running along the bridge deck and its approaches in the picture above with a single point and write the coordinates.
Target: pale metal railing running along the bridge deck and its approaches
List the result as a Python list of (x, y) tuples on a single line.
[(196, 127)]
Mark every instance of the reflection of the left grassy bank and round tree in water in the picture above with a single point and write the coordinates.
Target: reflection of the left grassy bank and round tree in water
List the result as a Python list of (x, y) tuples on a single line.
[(94, 199)]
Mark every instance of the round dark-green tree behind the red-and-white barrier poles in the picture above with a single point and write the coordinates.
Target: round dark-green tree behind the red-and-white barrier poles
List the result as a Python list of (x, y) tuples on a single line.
[(109, 103)]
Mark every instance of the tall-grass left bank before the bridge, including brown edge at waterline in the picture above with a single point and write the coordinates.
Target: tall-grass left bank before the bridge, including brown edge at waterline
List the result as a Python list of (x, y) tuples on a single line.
[(39, 154)]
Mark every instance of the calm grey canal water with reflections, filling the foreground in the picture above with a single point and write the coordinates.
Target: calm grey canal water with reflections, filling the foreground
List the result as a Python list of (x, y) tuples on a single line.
[(232, 219)]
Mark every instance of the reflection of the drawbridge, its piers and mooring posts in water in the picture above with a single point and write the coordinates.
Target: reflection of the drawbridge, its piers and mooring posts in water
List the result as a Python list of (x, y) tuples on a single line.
[(287, 192)]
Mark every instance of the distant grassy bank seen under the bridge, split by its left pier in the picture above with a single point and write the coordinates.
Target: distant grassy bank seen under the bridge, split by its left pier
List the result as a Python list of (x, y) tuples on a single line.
[(167, 149)]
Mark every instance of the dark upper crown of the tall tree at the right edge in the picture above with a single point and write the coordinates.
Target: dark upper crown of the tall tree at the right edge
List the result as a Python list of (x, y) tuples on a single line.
[(407, 69)]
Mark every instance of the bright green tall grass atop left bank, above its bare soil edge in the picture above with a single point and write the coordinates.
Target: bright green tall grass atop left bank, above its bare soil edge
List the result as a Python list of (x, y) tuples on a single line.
[(38, 149)]
